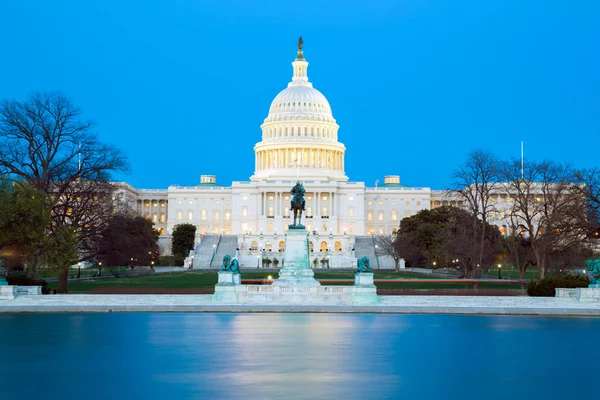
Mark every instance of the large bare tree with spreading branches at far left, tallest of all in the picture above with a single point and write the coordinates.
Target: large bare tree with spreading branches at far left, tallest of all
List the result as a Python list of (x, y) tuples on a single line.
[(44, 142)]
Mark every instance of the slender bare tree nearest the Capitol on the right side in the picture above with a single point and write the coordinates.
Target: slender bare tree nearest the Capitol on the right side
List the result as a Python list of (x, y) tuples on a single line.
[(474, 182)]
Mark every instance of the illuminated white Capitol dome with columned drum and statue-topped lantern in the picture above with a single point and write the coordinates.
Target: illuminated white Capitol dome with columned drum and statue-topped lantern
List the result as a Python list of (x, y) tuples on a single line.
[(299, 135)]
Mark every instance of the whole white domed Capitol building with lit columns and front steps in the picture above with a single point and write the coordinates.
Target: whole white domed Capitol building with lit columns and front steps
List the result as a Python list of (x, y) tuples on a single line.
[(249, 218)]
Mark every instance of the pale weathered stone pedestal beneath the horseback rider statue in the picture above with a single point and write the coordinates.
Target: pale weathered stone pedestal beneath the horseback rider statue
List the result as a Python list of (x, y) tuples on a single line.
[(296, 269)]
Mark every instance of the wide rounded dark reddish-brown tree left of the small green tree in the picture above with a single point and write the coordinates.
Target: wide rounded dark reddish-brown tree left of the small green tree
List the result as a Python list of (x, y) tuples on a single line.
[(128, 241)]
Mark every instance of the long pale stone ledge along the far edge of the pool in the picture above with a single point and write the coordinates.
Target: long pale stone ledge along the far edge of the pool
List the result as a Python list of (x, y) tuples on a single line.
[(487, 305)]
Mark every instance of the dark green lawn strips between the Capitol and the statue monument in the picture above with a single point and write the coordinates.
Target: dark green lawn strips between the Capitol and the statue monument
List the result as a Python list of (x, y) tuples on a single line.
[(184, 280)]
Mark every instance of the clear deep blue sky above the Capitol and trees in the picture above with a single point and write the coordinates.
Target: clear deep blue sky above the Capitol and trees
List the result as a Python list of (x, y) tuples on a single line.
[(182, 86)]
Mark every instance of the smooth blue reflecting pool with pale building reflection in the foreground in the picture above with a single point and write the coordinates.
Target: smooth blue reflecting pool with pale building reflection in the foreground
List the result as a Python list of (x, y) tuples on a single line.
[(289, 356)]
